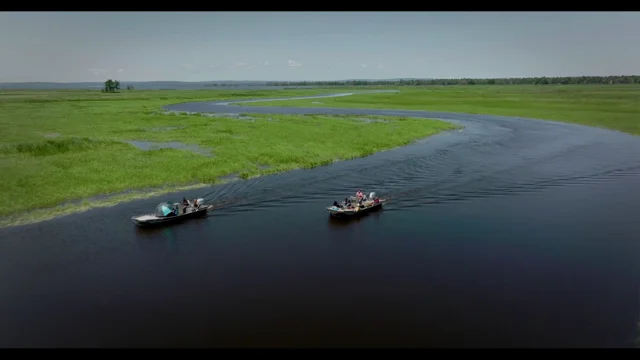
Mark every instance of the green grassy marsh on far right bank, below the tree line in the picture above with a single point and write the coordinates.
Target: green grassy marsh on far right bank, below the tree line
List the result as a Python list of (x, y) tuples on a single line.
[(615, 107)]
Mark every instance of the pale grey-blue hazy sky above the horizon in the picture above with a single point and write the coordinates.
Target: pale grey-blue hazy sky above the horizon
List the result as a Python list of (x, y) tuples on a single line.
[(293, 46)]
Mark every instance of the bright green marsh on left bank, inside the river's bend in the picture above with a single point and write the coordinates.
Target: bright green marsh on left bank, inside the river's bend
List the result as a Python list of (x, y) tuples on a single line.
[(60, 146)]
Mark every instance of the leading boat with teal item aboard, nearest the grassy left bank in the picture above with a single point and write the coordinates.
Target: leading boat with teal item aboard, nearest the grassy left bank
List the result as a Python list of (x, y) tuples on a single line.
[(169, 214)]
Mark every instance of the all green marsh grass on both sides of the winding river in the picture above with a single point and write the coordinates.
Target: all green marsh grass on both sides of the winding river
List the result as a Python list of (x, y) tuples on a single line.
[(62, 149)]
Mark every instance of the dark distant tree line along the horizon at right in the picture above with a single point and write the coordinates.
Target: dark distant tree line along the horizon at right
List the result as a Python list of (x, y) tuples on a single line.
[(566, 80)]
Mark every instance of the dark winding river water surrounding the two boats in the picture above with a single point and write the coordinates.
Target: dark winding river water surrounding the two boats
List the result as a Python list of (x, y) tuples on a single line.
[(509, 233)]
